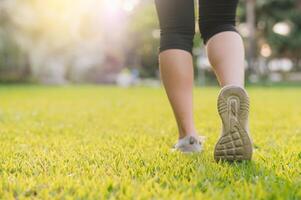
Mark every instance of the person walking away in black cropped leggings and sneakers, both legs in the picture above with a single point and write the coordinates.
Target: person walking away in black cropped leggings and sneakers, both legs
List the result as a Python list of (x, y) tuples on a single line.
[(225, 51)]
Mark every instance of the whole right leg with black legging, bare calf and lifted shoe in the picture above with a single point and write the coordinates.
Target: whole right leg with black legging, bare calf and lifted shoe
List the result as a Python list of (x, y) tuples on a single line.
[(226, 54)]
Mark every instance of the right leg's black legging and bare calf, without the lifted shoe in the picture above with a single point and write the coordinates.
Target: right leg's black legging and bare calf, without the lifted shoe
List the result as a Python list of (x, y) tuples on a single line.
[(224, 45)]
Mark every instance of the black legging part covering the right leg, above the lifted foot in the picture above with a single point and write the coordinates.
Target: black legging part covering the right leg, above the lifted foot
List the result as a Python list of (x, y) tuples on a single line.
[(217, 16)]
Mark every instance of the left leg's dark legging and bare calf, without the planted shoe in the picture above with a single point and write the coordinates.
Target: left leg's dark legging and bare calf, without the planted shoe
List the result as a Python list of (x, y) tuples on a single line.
[(177, 31)]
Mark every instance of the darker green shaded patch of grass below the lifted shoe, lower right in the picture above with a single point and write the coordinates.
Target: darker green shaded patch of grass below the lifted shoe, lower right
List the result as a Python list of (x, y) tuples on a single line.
[(258, 178)]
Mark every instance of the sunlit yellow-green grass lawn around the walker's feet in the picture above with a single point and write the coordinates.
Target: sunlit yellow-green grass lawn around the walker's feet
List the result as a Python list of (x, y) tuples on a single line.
[(90, 142)]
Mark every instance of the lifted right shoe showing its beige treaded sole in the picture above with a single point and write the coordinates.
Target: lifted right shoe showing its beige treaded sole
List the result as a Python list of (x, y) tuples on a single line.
[(235, 143)]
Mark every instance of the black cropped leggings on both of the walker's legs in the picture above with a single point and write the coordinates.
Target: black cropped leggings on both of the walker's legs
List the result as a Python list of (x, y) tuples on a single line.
[(177, 21)]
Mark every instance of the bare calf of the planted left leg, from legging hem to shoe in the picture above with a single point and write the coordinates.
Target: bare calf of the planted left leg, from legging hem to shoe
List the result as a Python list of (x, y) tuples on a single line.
[(177, 76)]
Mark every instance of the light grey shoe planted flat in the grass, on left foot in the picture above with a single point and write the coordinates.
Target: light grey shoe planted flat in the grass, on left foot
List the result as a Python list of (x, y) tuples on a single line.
[(189, 144)]
